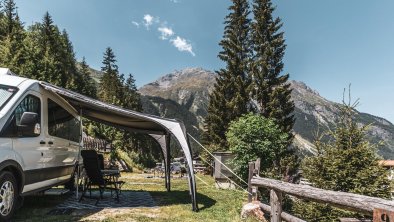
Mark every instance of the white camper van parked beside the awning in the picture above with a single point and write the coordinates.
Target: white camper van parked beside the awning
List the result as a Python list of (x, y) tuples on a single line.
[(40, 137)]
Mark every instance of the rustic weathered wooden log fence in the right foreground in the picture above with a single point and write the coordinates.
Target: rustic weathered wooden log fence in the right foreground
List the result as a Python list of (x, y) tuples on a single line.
[(380, 209)]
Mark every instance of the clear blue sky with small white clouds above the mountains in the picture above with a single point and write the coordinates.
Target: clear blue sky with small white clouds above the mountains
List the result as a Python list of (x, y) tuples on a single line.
[(330, 43)]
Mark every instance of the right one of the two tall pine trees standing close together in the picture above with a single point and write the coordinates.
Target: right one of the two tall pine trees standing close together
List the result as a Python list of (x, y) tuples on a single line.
[(269, 88)]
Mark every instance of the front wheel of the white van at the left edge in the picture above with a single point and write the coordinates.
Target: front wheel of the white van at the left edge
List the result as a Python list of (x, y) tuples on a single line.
[(8, 195)]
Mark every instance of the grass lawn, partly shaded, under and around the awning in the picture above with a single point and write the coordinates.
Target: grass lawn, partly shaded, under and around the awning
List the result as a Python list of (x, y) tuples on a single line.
[(214, 204)]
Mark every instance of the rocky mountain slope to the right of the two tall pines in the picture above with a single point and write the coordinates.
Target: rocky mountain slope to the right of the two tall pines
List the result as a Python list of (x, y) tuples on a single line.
[(315, 114)]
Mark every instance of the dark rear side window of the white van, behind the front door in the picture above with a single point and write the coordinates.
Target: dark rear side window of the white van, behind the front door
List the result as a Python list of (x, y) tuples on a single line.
[(61, 123)]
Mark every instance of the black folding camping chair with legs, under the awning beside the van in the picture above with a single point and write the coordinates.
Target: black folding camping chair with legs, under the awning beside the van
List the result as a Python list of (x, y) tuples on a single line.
[(95, 177)]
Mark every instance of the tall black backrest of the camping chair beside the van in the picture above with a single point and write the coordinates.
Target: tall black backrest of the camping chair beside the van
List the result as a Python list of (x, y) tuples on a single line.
[(92, 167)]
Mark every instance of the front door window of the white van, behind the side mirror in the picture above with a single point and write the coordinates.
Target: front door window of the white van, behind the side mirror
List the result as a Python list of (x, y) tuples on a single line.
[(13, 129)]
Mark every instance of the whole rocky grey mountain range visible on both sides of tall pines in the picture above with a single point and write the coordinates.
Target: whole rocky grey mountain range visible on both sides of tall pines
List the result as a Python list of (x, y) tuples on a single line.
[(184, 95)]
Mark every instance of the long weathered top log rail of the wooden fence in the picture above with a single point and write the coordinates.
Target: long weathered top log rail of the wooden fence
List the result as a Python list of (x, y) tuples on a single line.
[(349, 201)]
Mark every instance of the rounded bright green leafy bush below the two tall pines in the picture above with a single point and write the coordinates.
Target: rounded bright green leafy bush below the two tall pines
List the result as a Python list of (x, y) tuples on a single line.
[(254, 136)]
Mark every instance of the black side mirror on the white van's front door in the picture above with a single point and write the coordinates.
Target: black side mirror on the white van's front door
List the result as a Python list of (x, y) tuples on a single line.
[(29, 124)]
